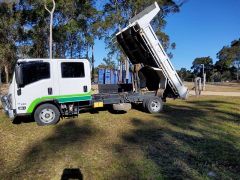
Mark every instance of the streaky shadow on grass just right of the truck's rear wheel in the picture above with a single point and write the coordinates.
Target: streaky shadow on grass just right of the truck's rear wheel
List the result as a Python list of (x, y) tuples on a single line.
[(183, 116)]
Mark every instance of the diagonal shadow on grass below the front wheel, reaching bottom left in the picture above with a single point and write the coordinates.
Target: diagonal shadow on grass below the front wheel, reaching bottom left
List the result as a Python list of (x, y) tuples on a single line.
[(62, 146)]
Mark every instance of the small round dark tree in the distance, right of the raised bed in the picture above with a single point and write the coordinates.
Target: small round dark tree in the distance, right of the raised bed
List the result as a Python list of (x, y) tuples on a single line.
[(198, 67)]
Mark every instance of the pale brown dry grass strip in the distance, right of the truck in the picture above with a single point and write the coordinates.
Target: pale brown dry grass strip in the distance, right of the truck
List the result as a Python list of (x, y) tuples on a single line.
[(222, 87)]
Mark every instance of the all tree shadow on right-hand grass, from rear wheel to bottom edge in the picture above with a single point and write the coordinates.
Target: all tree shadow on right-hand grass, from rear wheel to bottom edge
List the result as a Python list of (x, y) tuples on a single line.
[(186, 151)]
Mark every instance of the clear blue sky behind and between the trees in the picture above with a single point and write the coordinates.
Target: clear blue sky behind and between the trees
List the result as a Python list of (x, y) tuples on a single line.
[(200, 29)]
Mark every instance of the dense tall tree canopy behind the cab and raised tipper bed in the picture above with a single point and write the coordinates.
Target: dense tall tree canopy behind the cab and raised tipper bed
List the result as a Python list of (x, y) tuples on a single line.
[(24, 27)]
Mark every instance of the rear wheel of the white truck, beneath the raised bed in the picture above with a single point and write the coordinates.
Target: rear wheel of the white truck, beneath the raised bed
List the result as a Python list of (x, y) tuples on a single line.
[(154, 105)]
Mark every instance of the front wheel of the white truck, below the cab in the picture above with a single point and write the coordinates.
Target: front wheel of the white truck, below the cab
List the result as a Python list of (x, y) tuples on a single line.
[(46, 114)]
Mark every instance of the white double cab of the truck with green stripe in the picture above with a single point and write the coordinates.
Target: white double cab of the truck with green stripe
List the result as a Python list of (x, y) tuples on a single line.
[(37, 81)]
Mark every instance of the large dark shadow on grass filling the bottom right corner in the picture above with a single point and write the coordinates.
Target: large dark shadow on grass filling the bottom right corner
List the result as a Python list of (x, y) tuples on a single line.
[(180, 156)]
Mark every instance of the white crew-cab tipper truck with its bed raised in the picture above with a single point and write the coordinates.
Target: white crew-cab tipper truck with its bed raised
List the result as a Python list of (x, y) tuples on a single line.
[(50, 89)]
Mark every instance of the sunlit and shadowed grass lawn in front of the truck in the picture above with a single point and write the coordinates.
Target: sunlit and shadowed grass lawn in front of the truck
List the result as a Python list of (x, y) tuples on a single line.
[(194, 139)]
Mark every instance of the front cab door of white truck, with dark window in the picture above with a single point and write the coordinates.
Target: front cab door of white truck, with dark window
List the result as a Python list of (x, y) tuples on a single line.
[(37, 85)]
